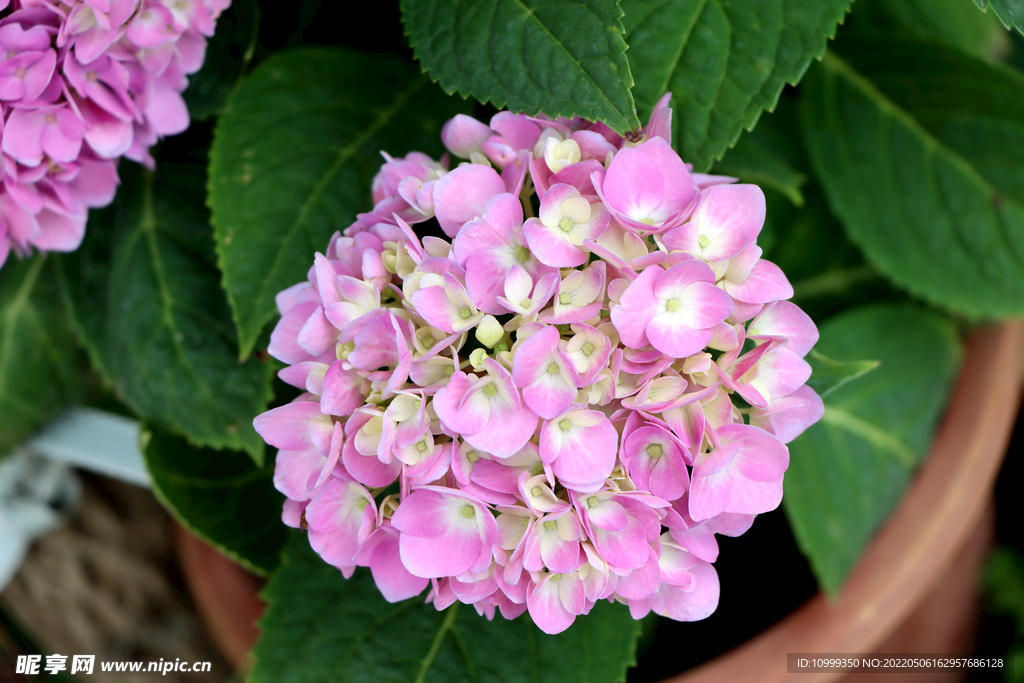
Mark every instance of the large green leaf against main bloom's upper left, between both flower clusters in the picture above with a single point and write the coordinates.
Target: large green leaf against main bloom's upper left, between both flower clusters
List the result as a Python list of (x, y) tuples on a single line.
[(294, 153)]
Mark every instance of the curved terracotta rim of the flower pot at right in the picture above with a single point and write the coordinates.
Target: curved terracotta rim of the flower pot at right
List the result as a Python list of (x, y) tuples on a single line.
[(913, 550)]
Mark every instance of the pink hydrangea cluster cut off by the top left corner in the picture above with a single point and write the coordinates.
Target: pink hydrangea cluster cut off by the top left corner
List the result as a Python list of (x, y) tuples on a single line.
[(82, 83)]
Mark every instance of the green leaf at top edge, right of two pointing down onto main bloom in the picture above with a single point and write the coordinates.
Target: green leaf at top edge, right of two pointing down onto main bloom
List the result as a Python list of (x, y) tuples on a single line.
[(724, 62)]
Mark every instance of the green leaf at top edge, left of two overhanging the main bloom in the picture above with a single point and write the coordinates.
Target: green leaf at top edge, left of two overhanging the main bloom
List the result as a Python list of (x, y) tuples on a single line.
[(563, 59)]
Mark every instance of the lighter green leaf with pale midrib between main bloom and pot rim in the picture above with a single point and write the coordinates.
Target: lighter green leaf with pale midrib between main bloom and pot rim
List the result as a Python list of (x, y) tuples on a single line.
[(848, 472)]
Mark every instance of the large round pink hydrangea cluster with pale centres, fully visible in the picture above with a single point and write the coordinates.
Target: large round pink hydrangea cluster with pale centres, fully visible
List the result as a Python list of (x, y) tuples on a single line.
[(550, 410)]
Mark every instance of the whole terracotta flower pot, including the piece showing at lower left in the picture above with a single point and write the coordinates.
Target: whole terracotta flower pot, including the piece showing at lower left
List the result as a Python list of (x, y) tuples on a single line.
[(913, 591)]
